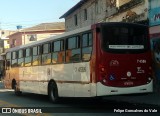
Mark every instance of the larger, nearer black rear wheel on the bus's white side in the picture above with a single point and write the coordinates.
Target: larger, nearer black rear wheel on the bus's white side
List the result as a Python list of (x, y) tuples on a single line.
[(53, 92)]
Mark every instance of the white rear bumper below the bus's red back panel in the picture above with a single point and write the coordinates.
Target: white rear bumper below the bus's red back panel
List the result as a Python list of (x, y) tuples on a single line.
[(103, 90)]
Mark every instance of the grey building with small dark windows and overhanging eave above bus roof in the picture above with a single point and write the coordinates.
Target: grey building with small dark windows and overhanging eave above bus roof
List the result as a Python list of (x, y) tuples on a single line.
[(87, 12)]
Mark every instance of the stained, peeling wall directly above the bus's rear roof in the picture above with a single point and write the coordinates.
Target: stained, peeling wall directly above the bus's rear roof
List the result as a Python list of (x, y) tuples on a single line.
[(129, 13)]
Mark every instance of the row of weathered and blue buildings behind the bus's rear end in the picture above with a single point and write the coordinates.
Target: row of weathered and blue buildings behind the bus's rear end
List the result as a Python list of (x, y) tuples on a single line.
[(87, 12)]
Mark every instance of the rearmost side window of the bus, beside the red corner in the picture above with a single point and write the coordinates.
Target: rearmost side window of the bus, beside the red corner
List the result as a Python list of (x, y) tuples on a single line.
[(86, 46)]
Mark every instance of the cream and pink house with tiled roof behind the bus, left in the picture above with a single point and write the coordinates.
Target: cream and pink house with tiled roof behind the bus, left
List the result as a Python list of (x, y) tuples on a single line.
[(36, 33)]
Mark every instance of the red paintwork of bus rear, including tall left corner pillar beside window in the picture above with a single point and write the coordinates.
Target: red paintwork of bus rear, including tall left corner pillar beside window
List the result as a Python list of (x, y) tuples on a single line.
[(111, 69)]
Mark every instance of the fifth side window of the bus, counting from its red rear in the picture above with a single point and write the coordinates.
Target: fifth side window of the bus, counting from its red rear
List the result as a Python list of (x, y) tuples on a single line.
[(36, 60)]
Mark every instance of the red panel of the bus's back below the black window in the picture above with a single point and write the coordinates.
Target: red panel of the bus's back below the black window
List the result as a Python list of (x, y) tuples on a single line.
[(126, 63)]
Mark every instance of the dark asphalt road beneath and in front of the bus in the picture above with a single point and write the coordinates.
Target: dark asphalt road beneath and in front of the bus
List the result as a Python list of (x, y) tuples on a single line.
[(68, 106)]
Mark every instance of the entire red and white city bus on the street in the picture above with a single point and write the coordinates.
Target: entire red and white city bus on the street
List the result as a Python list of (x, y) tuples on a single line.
[(99, 60)]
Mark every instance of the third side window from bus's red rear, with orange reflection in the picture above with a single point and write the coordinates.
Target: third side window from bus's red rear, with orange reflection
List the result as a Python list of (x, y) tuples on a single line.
[(58, 55)]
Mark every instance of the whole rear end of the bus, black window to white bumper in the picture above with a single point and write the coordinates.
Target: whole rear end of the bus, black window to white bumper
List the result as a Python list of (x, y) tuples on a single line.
[(123, 59)]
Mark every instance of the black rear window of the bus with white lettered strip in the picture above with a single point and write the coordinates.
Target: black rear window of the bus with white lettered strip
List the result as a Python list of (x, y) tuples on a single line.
[(125, 38)]
